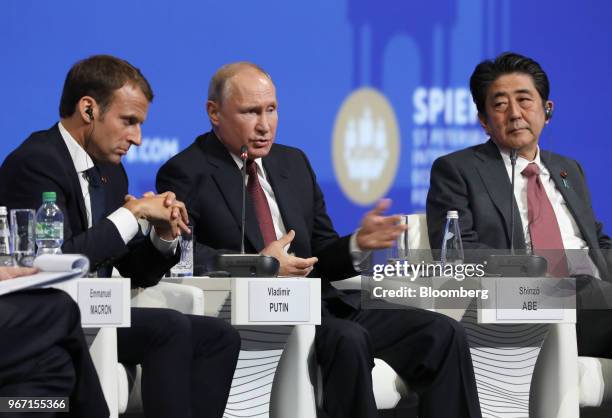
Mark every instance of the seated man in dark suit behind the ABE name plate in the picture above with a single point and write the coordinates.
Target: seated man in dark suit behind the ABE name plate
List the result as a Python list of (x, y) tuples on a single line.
[(512, 97)]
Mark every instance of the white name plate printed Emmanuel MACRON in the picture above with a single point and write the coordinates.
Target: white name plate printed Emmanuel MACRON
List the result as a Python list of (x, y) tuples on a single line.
[(102, 303)]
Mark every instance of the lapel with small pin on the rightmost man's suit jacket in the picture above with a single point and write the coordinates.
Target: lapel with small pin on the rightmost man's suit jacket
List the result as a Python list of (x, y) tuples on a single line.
[(575, 203)]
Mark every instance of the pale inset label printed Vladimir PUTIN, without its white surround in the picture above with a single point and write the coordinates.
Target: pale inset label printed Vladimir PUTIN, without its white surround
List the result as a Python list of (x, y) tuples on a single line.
[(271, 302)]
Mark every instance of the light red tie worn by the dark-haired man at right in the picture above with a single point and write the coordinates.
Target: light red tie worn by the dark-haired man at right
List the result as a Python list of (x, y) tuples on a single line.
[(543, 226)]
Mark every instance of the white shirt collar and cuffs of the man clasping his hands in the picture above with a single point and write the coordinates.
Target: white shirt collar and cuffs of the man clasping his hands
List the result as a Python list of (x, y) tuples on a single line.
[(125, 222)]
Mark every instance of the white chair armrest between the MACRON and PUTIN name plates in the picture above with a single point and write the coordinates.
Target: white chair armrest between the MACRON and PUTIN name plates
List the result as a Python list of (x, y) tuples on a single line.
[(183, 298)]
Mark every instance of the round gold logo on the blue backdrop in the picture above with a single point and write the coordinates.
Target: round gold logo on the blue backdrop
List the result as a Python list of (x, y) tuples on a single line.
[(365, 146)]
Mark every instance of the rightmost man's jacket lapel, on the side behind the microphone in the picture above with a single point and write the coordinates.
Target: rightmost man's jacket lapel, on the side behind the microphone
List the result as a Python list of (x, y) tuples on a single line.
[(493, 173)]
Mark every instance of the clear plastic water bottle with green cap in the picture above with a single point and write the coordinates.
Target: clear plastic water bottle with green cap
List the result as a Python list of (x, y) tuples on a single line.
[(49, 226)]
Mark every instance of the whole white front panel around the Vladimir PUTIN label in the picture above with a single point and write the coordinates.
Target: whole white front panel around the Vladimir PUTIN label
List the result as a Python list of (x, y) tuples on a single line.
[(274, 301)]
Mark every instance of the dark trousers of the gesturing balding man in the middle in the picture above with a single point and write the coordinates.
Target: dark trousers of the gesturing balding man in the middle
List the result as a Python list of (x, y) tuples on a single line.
[(428, 350)]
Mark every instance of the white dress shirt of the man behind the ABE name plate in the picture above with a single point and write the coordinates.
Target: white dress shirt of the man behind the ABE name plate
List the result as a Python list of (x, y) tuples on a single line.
[(570, 233)]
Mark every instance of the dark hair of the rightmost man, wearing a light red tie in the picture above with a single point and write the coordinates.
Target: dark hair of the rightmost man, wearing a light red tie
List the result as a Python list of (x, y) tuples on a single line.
[(488, 71)]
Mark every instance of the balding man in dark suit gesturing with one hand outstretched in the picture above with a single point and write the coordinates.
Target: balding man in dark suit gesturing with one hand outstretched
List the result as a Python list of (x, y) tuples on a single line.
[(286, 218)]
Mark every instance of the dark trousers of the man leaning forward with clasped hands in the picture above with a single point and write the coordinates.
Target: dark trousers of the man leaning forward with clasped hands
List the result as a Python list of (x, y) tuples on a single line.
[(187, 361)]
